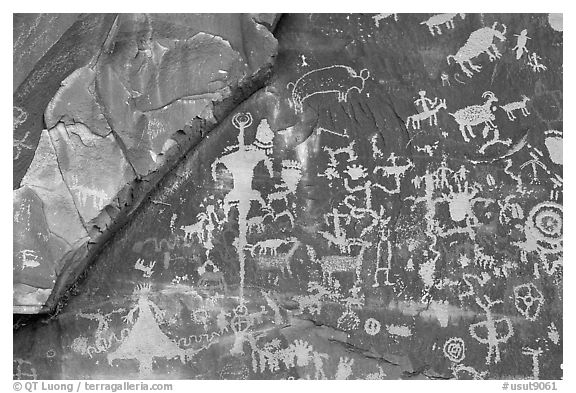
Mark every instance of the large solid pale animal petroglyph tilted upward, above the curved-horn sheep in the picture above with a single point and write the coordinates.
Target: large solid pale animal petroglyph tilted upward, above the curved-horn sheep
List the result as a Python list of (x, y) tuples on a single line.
[(480, 41)]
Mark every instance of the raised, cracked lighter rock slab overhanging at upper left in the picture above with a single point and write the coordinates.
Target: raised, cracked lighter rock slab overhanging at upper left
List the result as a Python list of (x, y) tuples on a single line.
[(122, 97)]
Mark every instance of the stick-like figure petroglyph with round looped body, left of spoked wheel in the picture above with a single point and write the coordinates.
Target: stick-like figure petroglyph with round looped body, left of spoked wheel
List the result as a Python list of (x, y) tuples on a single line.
[(492, 332)]
